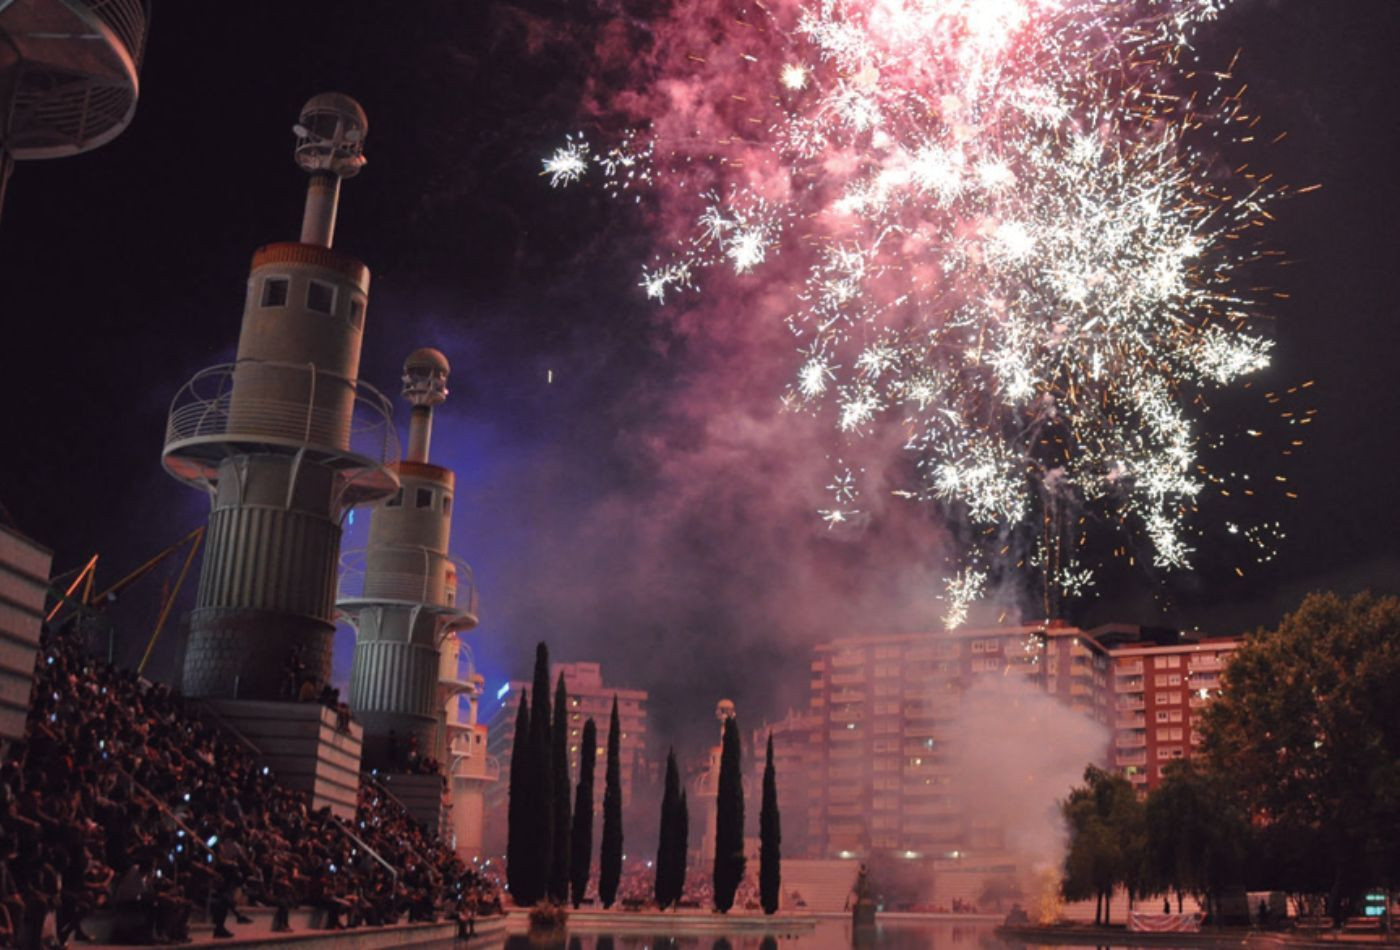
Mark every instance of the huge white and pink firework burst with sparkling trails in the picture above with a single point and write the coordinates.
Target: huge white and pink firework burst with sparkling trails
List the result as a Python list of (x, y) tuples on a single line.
[(1000, 234)]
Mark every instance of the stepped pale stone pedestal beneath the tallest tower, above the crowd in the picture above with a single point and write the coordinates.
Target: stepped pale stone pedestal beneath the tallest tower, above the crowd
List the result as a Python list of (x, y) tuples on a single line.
[(303, 746)]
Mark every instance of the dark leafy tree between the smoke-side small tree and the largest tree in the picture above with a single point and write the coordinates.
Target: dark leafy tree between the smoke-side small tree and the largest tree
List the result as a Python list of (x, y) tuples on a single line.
[(1196, 833)]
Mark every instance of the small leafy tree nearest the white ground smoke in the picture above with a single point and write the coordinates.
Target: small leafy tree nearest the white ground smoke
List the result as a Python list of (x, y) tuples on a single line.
[(1107, 840)]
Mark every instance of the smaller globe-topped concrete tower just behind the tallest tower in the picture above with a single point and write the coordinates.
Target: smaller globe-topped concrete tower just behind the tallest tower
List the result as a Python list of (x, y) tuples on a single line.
[(405, 593)]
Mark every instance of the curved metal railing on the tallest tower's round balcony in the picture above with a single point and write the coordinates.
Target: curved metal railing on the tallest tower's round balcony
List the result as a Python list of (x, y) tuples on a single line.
[(205, 409)]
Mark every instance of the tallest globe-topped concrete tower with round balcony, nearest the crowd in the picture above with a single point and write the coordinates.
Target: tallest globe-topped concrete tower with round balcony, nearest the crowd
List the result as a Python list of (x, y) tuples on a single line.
[(286, 440)]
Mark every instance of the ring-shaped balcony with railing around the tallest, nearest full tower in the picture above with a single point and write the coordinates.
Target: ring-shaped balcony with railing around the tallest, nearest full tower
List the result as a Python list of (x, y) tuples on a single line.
[(283, 409)]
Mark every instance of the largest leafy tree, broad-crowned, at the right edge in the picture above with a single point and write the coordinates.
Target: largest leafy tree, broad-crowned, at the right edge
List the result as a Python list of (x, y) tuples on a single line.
[(1308, 731)]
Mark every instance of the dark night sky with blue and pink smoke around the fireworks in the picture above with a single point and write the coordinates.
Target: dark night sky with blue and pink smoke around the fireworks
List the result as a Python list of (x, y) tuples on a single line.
[(649, 509)]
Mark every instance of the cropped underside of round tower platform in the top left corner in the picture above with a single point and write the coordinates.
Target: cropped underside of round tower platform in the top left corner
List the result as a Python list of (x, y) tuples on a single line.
[(69, 76)]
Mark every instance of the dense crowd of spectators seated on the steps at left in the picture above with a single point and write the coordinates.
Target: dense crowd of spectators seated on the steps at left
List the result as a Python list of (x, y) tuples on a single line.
[(124, 801)]
